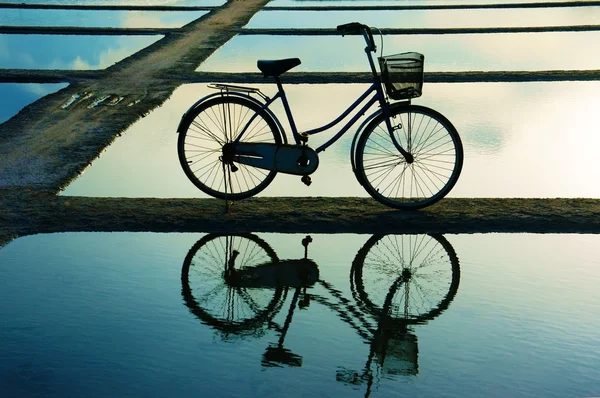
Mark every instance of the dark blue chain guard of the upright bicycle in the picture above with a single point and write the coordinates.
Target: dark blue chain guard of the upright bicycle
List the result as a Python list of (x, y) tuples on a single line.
[(288, 159)]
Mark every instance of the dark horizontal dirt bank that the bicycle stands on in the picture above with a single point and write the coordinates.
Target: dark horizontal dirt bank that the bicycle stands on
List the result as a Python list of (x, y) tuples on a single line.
[(28, 212)]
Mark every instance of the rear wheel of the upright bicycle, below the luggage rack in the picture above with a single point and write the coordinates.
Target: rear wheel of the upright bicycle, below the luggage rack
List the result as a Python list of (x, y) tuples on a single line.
[(204, 133)]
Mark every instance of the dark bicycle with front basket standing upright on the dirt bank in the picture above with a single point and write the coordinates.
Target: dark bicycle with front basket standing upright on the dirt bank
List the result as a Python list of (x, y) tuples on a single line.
[(231, 145)]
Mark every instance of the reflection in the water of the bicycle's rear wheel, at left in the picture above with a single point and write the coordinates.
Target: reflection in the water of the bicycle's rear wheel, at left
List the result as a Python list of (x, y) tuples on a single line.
[(216, 302)]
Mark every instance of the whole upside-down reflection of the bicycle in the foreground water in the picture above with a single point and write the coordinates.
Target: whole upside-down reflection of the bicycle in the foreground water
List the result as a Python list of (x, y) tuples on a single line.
[(237, 284)]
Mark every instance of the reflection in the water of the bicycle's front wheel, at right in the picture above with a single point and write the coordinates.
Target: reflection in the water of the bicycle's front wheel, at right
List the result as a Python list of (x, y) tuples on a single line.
[(414, 276)]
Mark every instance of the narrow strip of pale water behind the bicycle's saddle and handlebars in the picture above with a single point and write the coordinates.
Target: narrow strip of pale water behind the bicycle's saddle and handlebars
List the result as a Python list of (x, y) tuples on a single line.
[(443, 53)]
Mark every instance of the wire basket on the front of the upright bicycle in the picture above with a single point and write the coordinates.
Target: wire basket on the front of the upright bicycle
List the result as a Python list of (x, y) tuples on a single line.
[(402, 75)]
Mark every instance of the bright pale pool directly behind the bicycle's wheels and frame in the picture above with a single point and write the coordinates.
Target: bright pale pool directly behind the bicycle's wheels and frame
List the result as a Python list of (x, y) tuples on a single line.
[(520, 140)]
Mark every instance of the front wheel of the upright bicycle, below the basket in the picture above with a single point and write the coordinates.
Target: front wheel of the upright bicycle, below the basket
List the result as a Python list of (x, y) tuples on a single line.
[(423, 177)]
